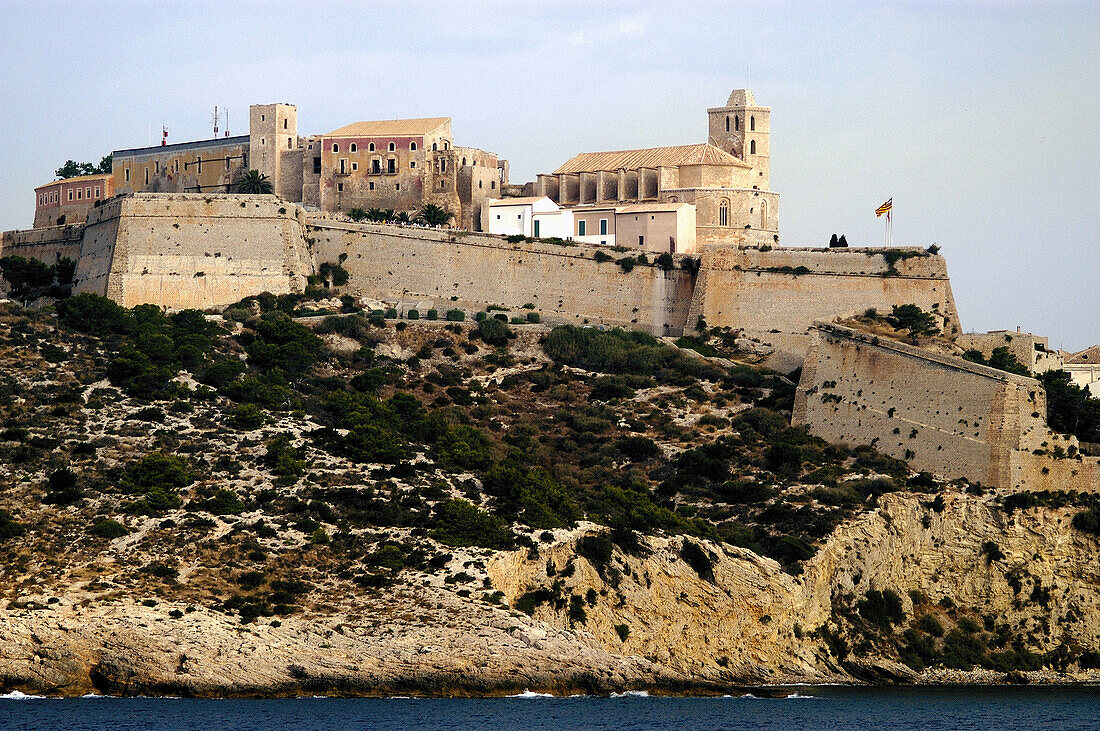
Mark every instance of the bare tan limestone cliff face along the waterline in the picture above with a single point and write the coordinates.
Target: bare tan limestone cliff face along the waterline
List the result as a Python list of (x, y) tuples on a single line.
[(641, 622)]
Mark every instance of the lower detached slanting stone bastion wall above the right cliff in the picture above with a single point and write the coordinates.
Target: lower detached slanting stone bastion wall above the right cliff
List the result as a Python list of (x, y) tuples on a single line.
[(939, 413)]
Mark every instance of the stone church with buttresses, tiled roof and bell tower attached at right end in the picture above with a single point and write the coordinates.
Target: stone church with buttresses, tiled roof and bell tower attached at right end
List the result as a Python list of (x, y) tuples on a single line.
[(727, 179)]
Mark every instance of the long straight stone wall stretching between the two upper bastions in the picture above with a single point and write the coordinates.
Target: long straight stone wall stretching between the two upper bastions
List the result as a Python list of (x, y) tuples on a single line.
[(474, 271)]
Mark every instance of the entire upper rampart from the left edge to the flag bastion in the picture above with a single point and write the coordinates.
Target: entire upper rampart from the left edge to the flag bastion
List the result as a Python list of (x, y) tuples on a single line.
[(210, 250)]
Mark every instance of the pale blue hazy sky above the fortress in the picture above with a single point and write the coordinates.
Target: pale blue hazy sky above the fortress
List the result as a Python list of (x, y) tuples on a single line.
[(982, 120)]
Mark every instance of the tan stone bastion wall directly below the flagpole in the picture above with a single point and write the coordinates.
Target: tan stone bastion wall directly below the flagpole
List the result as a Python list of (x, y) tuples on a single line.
[(766, 294)]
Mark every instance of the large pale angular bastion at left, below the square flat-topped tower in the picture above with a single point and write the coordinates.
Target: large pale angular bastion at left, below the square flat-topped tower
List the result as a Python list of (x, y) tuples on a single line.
[(192, 250)]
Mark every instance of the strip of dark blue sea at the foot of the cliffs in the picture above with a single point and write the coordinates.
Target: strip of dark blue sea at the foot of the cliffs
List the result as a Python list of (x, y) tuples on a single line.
[(1003, 710)]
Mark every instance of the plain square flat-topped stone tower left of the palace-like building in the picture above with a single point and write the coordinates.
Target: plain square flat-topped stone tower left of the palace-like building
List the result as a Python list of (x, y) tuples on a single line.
[(273, 148)]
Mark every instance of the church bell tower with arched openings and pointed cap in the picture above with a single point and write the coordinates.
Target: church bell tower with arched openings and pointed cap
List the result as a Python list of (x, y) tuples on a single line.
[(743, 130)]
